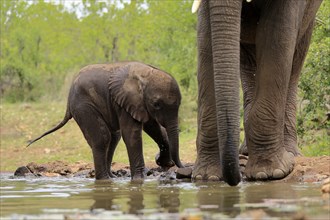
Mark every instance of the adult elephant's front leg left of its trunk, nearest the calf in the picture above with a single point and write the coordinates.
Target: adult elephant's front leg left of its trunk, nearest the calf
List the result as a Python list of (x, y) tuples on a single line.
[(207, 165)]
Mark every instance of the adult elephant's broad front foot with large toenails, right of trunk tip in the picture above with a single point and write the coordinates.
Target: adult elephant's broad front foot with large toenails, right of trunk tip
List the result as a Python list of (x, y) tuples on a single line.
[(264, 167)]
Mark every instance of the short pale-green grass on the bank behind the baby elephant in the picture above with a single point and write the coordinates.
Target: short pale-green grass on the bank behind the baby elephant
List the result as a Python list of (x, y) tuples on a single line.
[(21, 122)]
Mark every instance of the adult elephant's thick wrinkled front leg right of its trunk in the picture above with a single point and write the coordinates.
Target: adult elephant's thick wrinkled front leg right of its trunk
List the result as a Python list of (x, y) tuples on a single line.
[(275, 45)]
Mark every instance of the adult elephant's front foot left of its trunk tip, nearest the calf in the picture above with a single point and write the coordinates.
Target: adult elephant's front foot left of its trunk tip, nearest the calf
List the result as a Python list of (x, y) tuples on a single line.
[(207, 168)]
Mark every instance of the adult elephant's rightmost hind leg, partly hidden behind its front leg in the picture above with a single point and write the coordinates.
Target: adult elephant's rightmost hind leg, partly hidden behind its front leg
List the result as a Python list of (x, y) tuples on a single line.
[(290, 128)]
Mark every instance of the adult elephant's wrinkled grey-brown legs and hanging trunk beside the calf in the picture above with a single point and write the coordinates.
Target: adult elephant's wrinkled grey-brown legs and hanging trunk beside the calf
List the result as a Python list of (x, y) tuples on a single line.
[(264, 43)]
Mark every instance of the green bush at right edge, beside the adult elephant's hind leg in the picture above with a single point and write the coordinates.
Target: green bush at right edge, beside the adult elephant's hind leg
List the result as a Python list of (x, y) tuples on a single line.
[(314, 87)]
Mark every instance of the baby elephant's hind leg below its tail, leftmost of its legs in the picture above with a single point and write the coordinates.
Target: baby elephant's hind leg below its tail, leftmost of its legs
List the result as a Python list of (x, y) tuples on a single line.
[(97, 136)]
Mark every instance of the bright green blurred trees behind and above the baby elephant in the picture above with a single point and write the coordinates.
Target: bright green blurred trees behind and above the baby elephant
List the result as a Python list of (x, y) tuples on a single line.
[(41, 41)]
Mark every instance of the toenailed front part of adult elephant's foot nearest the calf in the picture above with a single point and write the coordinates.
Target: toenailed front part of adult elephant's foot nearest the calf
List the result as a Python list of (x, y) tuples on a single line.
[(207, 172)]
